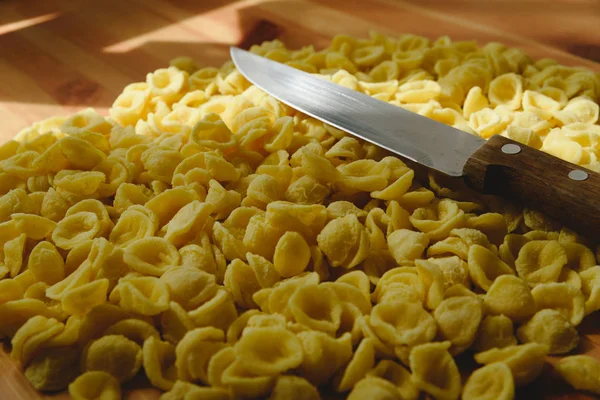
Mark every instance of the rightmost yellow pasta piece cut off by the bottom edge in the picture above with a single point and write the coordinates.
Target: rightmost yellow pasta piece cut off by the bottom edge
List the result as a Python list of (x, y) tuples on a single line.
[(494, 381)]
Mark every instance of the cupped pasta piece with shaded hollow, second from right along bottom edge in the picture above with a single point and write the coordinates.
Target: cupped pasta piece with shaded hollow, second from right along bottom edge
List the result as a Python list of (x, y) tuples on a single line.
[(434, 370)]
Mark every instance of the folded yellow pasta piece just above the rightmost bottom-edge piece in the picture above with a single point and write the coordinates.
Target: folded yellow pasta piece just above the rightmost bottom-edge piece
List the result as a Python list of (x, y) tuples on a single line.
[(525, 361)]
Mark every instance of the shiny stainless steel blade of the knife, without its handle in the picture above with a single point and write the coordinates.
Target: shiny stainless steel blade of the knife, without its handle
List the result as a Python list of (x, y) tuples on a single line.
[(408, 134)]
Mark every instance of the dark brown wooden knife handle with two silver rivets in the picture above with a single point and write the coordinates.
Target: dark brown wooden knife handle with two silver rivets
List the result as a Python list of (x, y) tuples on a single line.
[(538, 180)]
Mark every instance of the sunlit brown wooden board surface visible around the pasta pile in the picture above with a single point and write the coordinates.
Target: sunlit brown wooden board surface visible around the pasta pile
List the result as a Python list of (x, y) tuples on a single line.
[(58, 56)]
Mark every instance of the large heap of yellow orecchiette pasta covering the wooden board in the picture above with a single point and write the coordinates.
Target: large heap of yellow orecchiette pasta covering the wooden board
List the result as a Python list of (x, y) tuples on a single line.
[(227, 246)]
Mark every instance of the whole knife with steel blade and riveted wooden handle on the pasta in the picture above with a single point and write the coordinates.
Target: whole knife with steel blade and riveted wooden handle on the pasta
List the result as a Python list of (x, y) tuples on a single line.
[(499, 166)]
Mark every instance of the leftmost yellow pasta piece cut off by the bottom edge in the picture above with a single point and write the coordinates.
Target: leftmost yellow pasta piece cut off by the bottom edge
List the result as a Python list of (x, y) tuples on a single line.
[(95, 385)]
